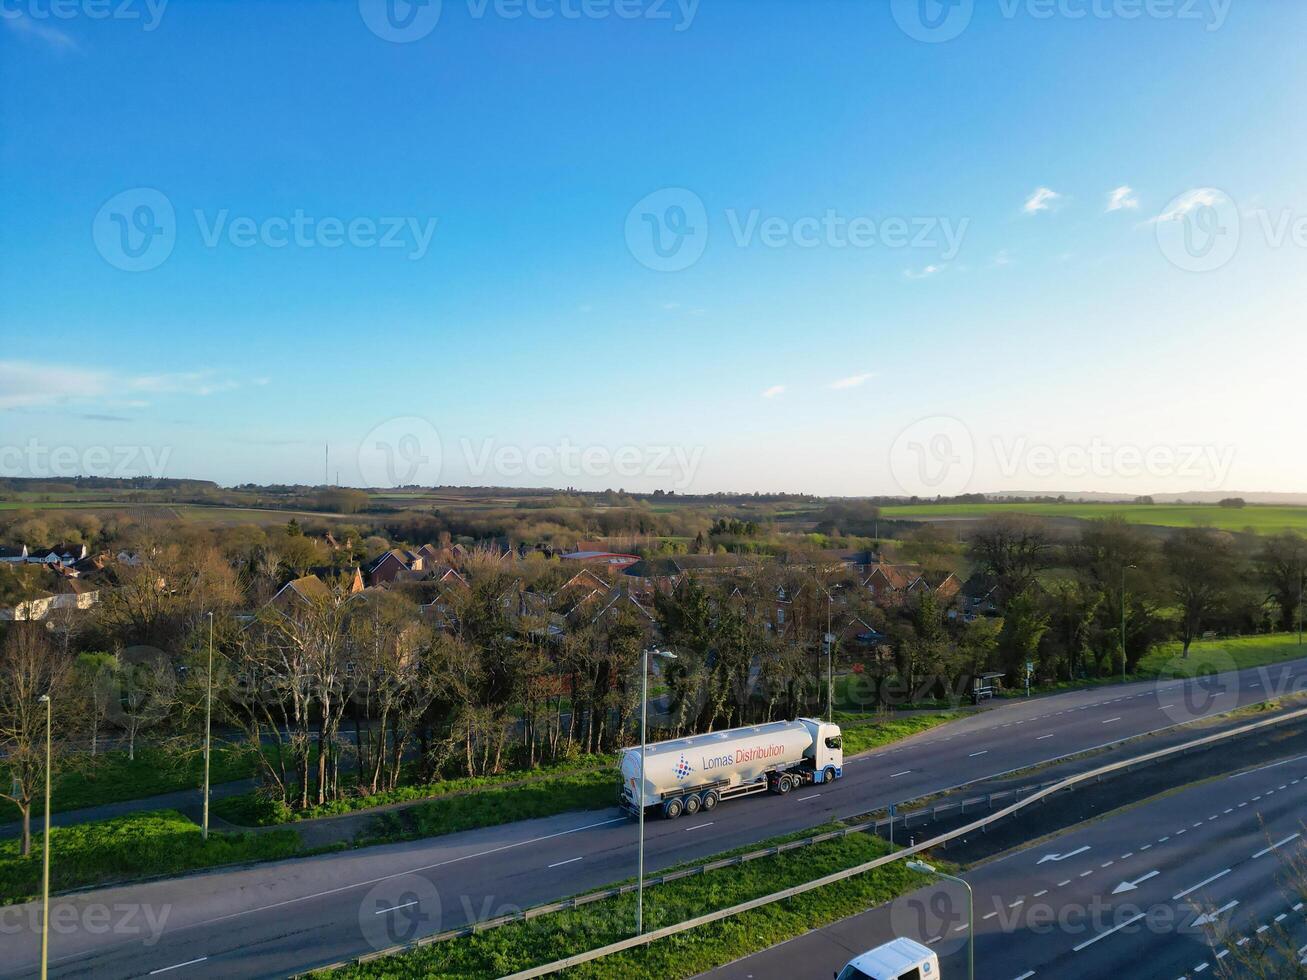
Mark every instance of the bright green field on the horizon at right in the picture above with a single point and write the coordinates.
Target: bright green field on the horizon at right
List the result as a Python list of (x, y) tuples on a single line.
[(1262, 519)]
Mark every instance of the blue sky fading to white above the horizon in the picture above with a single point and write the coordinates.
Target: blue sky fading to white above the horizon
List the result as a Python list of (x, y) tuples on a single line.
[(1023, 335)]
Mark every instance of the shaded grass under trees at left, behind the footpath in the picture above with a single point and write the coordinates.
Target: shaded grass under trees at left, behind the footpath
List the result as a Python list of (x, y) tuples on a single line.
[(112, 778)]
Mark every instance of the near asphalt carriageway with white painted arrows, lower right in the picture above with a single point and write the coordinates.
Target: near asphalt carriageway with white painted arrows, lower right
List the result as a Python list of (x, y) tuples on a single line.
[(1116, 898)]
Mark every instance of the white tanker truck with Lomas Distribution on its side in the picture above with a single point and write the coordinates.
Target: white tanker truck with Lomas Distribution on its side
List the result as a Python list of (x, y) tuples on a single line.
[(687, 776)]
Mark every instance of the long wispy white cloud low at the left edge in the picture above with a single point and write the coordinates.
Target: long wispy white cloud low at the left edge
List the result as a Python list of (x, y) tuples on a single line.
[(24, 384)]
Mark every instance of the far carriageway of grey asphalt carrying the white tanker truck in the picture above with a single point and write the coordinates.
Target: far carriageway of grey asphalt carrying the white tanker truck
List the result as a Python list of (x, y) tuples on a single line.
[(279, 918)]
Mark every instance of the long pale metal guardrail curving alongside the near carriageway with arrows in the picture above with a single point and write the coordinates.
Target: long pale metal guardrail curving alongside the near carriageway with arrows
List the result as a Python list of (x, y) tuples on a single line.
[(636, 941)]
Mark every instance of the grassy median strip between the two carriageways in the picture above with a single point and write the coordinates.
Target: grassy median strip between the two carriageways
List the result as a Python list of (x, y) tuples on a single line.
[(547, 939)]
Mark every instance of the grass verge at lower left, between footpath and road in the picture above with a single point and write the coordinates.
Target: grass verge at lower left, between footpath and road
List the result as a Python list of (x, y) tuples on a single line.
[(156, 843)]
